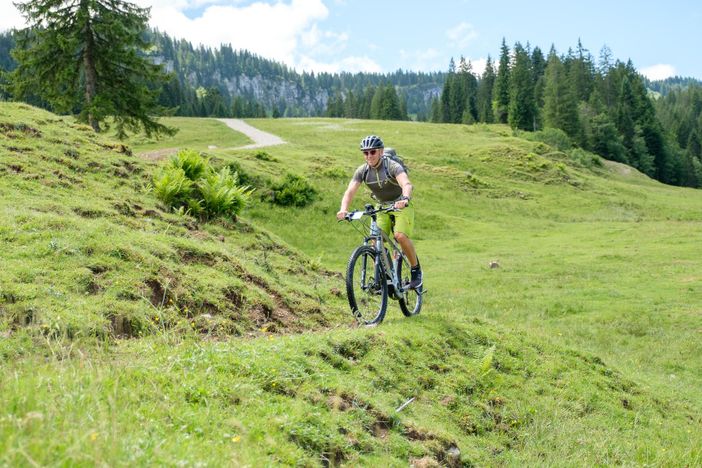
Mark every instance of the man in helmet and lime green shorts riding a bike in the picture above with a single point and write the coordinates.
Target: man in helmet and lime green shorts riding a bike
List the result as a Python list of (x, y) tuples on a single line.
[(389, 183)]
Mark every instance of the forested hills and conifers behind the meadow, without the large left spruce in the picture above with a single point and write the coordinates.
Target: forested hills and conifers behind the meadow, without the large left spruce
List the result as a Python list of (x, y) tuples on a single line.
[(604, 105)]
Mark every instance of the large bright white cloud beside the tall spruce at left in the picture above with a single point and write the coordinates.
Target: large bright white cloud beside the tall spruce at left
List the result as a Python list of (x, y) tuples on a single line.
[(287, 31)]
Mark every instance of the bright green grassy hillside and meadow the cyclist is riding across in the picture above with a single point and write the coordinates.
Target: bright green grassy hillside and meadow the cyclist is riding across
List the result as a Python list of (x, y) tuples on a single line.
[(131, 335)]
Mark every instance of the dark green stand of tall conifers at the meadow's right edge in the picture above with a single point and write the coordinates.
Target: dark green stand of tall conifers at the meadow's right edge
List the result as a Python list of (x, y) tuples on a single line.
[(603, 107)]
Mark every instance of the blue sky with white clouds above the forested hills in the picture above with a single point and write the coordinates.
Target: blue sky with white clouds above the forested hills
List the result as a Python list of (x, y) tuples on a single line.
[(662, 38)]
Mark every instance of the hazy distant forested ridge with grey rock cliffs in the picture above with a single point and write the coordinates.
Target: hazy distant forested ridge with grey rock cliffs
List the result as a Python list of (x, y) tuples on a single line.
[(226, 82)]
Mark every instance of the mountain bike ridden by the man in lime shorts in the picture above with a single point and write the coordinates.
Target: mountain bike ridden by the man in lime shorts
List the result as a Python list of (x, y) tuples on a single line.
[(378, 269)]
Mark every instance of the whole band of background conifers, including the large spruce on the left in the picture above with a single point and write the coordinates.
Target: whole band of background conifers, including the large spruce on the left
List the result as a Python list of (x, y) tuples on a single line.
[(97, 59)]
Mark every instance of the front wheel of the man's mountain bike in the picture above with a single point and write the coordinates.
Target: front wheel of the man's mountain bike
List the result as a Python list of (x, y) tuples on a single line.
[(366, 286)]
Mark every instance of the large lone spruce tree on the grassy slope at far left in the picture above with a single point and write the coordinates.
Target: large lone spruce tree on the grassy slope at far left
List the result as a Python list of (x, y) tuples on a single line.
[(84, 55)]
